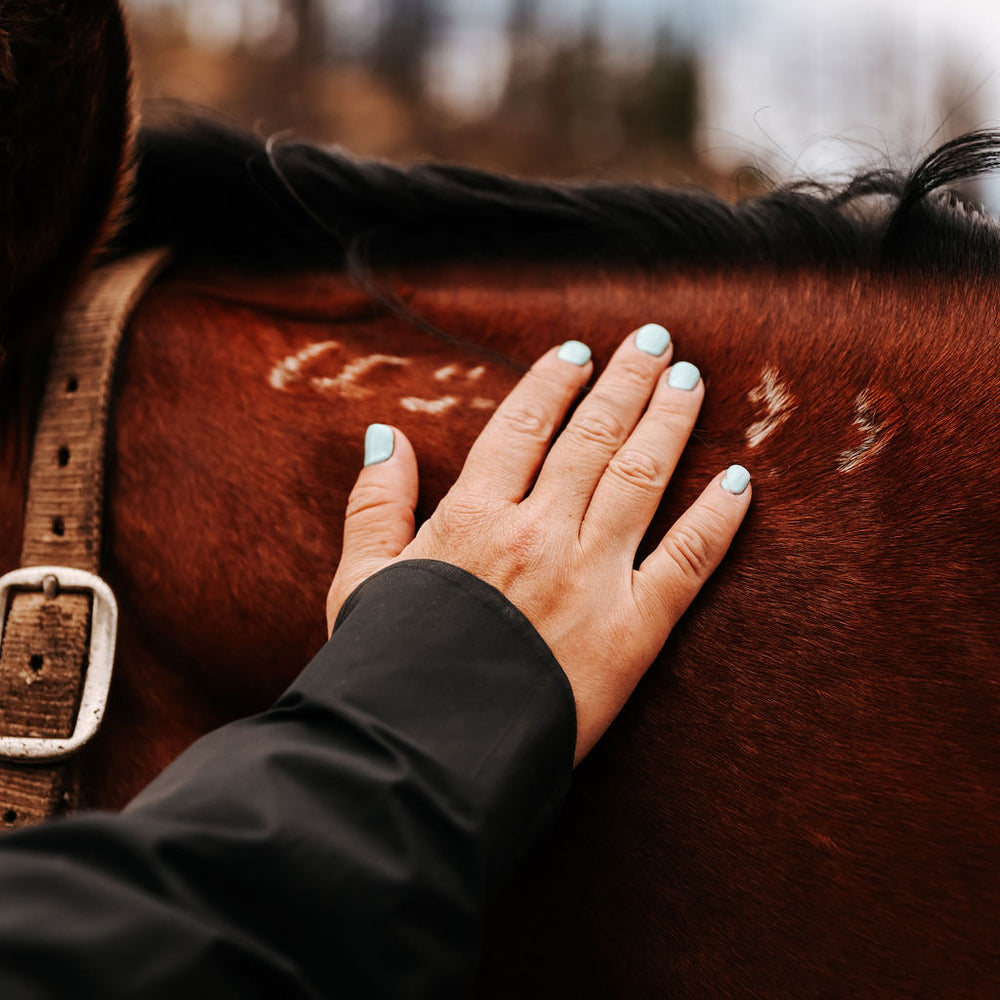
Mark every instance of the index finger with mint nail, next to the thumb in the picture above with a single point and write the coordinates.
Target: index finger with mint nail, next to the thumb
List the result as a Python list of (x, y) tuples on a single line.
[(505, 457)]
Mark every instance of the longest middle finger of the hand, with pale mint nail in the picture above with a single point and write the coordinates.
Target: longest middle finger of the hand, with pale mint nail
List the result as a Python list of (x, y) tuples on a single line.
[(603, 421)]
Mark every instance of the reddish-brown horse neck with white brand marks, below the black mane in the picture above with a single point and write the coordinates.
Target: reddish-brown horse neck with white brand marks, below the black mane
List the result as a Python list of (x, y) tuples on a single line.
[(840, 667)]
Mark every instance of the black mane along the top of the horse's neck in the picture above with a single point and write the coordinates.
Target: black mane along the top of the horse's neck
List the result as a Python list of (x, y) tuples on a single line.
[(220, 193)]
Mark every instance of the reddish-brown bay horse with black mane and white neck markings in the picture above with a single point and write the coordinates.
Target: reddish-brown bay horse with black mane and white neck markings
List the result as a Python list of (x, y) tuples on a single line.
[(800, 800)]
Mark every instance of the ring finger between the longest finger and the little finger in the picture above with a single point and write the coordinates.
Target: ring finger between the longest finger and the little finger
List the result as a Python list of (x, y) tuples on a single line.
[(632, 486)]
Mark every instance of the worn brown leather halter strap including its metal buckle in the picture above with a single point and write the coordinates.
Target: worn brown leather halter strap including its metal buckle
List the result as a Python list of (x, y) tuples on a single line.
[(59, 619)]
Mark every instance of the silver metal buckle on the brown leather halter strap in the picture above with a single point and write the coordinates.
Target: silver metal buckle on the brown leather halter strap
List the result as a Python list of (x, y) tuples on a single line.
[(100, 660)]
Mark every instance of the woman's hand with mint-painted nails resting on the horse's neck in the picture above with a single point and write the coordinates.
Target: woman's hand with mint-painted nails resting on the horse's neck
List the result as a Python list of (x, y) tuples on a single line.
[(564, 553)]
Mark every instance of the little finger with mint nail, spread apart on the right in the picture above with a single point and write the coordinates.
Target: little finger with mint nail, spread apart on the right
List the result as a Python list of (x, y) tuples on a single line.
[(673, 573)]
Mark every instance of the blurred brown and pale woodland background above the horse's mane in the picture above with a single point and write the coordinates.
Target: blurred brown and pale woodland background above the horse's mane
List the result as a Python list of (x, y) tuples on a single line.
[(728, 94)]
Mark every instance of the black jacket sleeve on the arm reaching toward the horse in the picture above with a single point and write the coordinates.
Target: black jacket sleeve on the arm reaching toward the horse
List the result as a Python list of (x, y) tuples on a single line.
[(341, 844)]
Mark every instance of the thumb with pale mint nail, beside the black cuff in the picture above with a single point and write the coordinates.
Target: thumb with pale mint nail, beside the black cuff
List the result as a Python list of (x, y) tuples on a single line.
[(379, 522)]
